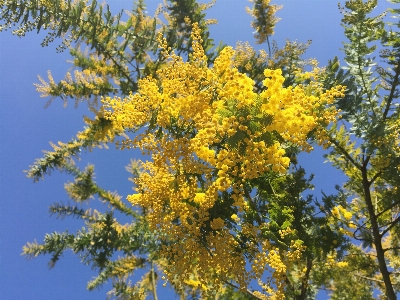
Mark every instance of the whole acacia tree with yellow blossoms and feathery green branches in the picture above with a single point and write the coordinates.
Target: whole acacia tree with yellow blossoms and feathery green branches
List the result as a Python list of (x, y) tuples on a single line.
[(223, 190)]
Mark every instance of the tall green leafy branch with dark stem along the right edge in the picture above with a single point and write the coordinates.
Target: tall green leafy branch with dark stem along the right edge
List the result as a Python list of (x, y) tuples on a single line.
[(371, 160)]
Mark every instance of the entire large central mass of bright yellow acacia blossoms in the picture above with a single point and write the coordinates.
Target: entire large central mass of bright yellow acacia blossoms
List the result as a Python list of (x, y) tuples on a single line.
[(207, 133)]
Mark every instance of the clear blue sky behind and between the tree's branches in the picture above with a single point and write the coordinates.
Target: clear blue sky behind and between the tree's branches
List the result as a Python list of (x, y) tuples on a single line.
[(26, 129)]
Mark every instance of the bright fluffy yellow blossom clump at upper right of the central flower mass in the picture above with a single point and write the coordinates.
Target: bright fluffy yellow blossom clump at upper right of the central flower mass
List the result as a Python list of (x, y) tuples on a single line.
[(299, 110)]
